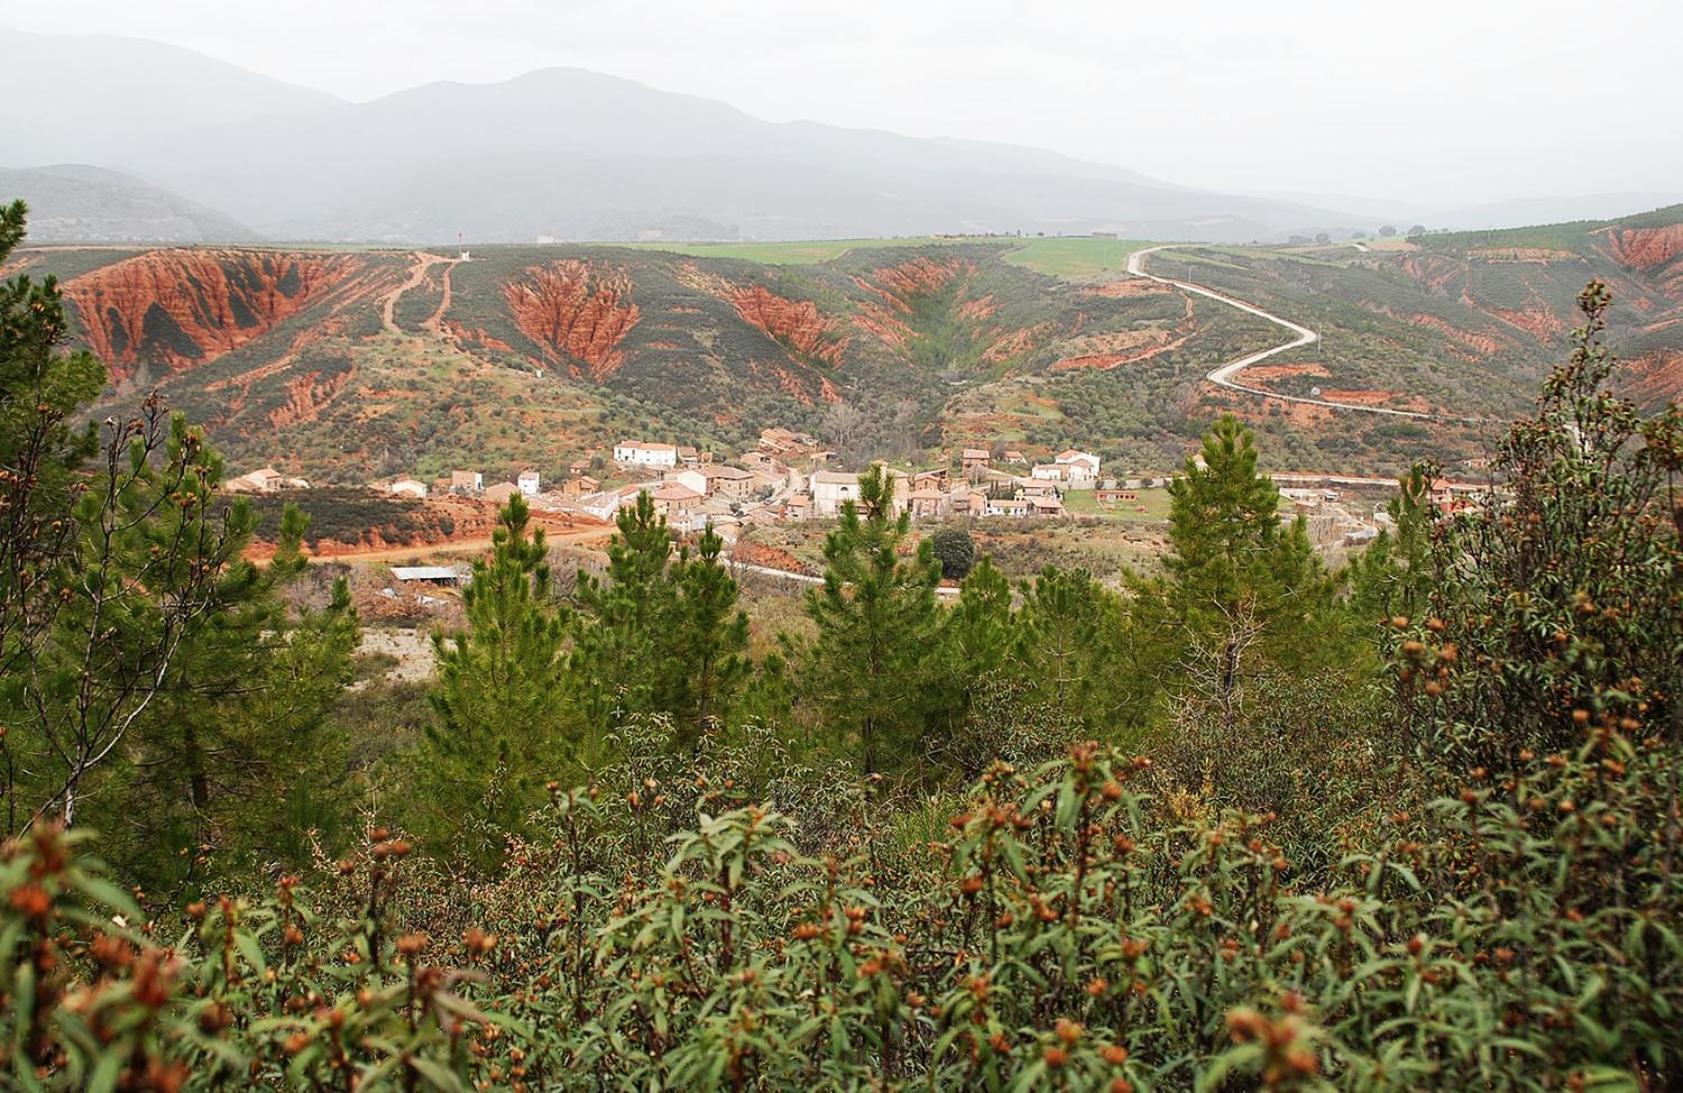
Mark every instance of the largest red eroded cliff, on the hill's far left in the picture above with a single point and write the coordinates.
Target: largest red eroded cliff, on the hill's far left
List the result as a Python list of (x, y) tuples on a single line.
[(184, 307)]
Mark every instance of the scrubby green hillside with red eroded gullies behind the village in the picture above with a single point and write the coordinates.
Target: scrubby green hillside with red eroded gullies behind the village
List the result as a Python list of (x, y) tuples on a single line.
[(344, 365)]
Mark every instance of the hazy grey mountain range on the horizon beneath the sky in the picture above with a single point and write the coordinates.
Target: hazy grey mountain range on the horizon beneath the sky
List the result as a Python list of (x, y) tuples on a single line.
[(561, 154)]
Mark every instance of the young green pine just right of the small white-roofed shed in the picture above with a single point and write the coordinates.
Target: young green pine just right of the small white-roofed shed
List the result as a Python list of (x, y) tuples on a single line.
[(501, 696)]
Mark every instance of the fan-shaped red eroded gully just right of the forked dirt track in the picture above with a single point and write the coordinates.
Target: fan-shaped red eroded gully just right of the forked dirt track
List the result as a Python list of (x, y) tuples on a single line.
[(576, 312)]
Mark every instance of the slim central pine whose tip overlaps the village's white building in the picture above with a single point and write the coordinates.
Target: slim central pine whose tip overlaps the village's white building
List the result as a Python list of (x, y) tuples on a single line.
[(878, 626)]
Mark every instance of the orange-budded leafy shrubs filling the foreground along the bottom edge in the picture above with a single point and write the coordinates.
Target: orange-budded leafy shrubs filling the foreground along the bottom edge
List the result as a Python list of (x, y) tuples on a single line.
[(1522, 934)]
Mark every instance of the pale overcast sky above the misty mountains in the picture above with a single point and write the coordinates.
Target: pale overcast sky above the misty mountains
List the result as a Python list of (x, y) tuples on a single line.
[(1443, 102)]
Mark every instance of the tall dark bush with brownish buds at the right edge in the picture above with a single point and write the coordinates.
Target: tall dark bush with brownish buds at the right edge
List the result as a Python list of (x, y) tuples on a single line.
[(1554, 605)]
